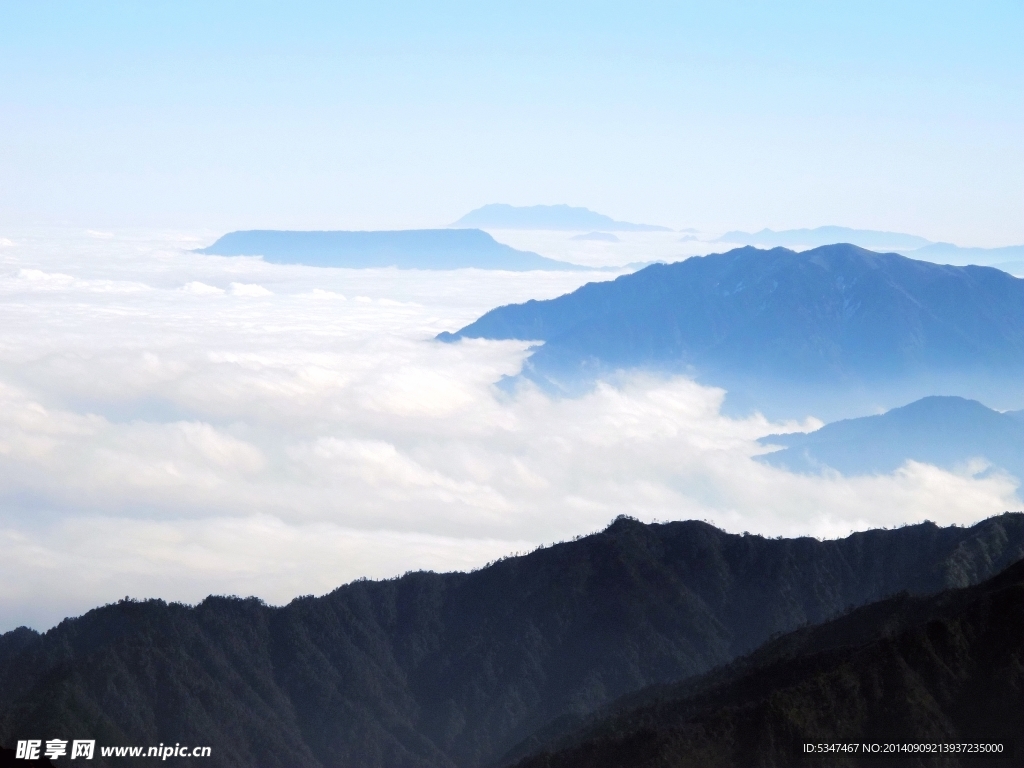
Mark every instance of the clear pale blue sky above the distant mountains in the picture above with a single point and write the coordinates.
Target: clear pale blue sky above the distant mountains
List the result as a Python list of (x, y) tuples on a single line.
[(221, 116)]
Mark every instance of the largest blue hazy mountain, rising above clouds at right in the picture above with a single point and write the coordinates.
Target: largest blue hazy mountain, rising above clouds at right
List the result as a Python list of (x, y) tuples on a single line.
[(834, 331)]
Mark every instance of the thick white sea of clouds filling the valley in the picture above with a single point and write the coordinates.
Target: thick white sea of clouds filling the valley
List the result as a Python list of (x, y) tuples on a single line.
[(175, 425)]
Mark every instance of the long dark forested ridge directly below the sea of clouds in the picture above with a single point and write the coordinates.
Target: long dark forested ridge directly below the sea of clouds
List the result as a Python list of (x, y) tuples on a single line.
[(456, 669)]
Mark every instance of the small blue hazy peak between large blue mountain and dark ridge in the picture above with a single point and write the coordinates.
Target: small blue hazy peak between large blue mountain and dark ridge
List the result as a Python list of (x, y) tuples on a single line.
[(944, 432)]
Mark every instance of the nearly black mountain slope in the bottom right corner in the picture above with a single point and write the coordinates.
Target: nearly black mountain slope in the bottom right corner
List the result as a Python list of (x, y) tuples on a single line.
[(943, 669)]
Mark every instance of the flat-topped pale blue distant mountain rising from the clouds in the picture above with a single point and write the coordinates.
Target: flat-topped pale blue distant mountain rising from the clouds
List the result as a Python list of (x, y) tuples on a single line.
[(407, 249)]
